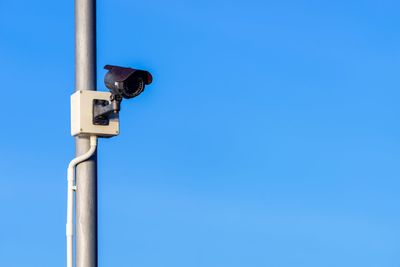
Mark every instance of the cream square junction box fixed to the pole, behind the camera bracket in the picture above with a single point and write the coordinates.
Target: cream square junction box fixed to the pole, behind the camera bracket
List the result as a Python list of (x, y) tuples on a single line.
[(82, 115)]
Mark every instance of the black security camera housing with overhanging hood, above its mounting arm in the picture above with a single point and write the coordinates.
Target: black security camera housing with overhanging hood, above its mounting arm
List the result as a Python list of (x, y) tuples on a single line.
[(126, 82)]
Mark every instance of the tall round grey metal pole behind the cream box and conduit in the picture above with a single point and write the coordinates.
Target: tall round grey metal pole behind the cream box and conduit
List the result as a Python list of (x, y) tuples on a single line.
[(86, 174)]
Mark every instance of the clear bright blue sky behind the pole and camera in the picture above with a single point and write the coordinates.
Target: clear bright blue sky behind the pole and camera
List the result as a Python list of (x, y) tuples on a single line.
[(270, 136)]
